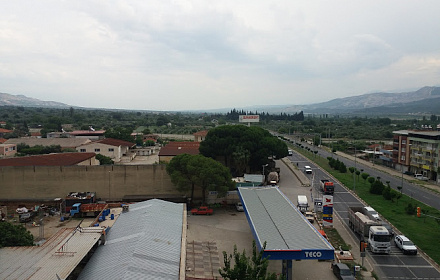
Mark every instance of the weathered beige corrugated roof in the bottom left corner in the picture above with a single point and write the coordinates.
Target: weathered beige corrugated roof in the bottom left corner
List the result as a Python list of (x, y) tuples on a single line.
[(59, 255)]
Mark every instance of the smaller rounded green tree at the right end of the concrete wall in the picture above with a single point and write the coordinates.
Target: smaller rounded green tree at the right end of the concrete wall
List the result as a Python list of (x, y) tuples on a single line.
[(187, 171)]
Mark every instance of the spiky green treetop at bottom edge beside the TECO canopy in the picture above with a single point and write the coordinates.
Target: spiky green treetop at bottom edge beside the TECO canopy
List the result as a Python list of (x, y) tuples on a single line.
[(247, 268)]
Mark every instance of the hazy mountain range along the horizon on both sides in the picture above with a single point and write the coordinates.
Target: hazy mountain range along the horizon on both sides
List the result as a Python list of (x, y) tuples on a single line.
[(424, 101)]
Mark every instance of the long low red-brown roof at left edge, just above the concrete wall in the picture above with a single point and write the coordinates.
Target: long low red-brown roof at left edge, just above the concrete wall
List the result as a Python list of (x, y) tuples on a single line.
[(63, 159)]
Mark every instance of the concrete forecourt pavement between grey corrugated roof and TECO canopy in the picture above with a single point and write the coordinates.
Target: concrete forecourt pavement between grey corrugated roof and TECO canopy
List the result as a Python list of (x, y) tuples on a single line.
[(228, 227)]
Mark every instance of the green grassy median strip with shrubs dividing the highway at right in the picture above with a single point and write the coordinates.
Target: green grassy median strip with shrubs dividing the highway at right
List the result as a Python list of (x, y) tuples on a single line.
[(423, 231)]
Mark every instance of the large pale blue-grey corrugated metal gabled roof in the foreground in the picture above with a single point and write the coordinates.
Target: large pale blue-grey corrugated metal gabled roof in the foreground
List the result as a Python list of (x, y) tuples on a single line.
[(144, 243)]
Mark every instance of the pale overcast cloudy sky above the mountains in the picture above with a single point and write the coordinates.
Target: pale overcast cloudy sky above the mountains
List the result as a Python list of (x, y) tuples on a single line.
[(201, 55)]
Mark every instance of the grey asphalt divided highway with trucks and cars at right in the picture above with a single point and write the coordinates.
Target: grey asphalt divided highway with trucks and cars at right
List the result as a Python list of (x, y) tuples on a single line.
[(393, 266)]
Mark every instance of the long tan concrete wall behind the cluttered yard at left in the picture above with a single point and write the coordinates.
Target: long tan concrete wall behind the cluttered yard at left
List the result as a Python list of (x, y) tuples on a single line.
[(109, 182)]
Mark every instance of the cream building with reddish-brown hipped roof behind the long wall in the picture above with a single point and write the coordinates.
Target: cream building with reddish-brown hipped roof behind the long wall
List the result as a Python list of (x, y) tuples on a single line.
[(109, 147)]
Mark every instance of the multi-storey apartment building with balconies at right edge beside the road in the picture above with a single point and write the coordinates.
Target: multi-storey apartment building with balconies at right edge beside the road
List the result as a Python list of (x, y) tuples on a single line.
[(418, 151)]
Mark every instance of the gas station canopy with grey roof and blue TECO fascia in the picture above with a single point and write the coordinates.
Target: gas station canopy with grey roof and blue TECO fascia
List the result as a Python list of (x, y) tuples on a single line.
[(274, 219)]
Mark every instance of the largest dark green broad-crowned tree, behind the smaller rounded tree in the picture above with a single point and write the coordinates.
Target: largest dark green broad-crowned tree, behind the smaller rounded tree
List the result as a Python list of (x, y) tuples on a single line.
[(239, 145)]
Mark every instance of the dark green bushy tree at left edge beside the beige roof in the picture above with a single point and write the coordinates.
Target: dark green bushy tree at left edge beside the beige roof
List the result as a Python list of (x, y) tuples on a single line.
[(14, 235)]
